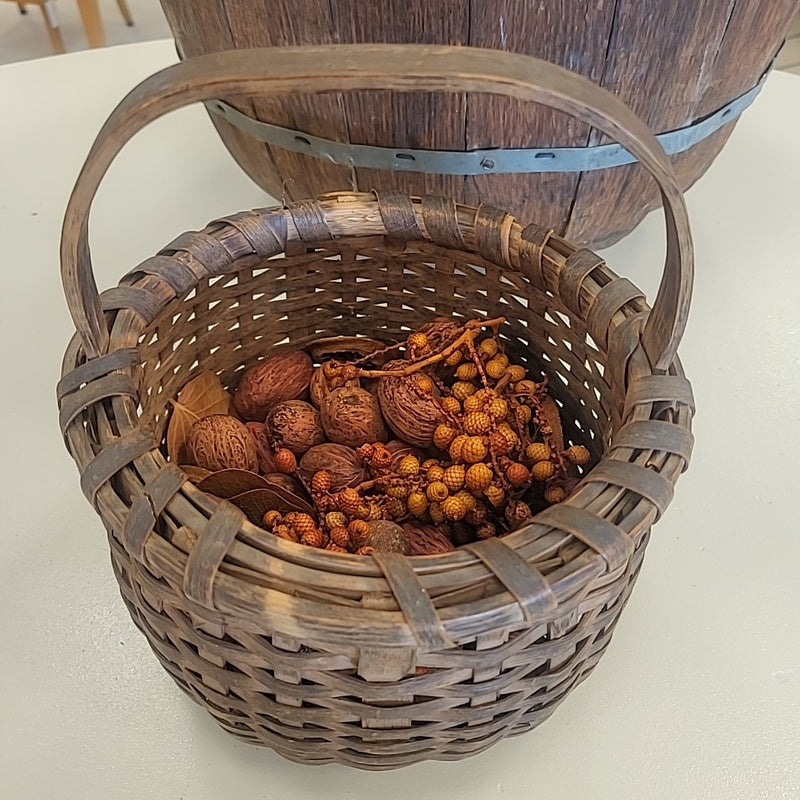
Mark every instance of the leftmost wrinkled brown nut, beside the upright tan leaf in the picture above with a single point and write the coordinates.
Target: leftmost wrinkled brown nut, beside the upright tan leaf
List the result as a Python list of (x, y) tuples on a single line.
[(222, 442)]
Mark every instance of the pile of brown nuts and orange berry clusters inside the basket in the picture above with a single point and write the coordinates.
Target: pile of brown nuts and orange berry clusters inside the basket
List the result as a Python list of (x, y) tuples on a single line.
[(477, 448)]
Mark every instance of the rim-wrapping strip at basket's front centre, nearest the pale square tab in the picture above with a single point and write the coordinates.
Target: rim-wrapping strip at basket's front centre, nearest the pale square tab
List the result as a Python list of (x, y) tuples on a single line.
[(419, 611)]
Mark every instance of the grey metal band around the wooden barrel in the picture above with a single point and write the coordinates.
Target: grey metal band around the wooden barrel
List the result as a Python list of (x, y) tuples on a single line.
[(479, 162)]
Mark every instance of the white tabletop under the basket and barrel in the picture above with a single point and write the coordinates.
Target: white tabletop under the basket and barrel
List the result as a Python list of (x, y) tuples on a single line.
[(698, 695)]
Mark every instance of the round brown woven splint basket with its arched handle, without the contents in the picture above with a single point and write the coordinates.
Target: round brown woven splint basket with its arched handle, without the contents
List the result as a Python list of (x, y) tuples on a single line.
[(374, 661)]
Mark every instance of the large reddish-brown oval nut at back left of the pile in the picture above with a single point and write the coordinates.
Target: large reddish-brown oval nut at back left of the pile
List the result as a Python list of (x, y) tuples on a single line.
[(282, 376)]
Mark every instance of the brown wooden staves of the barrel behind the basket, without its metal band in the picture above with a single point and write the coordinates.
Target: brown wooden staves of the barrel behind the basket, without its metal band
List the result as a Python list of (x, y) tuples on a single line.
[(672, 62)]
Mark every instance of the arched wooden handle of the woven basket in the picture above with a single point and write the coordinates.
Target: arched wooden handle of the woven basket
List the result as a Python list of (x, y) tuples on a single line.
[(399, 67)]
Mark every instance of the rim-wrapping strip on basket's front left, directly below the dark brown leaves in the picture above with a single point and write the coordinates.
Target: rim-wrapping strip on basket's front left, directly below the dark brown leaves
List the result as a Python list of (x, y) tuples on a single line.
[(213, 542)]
